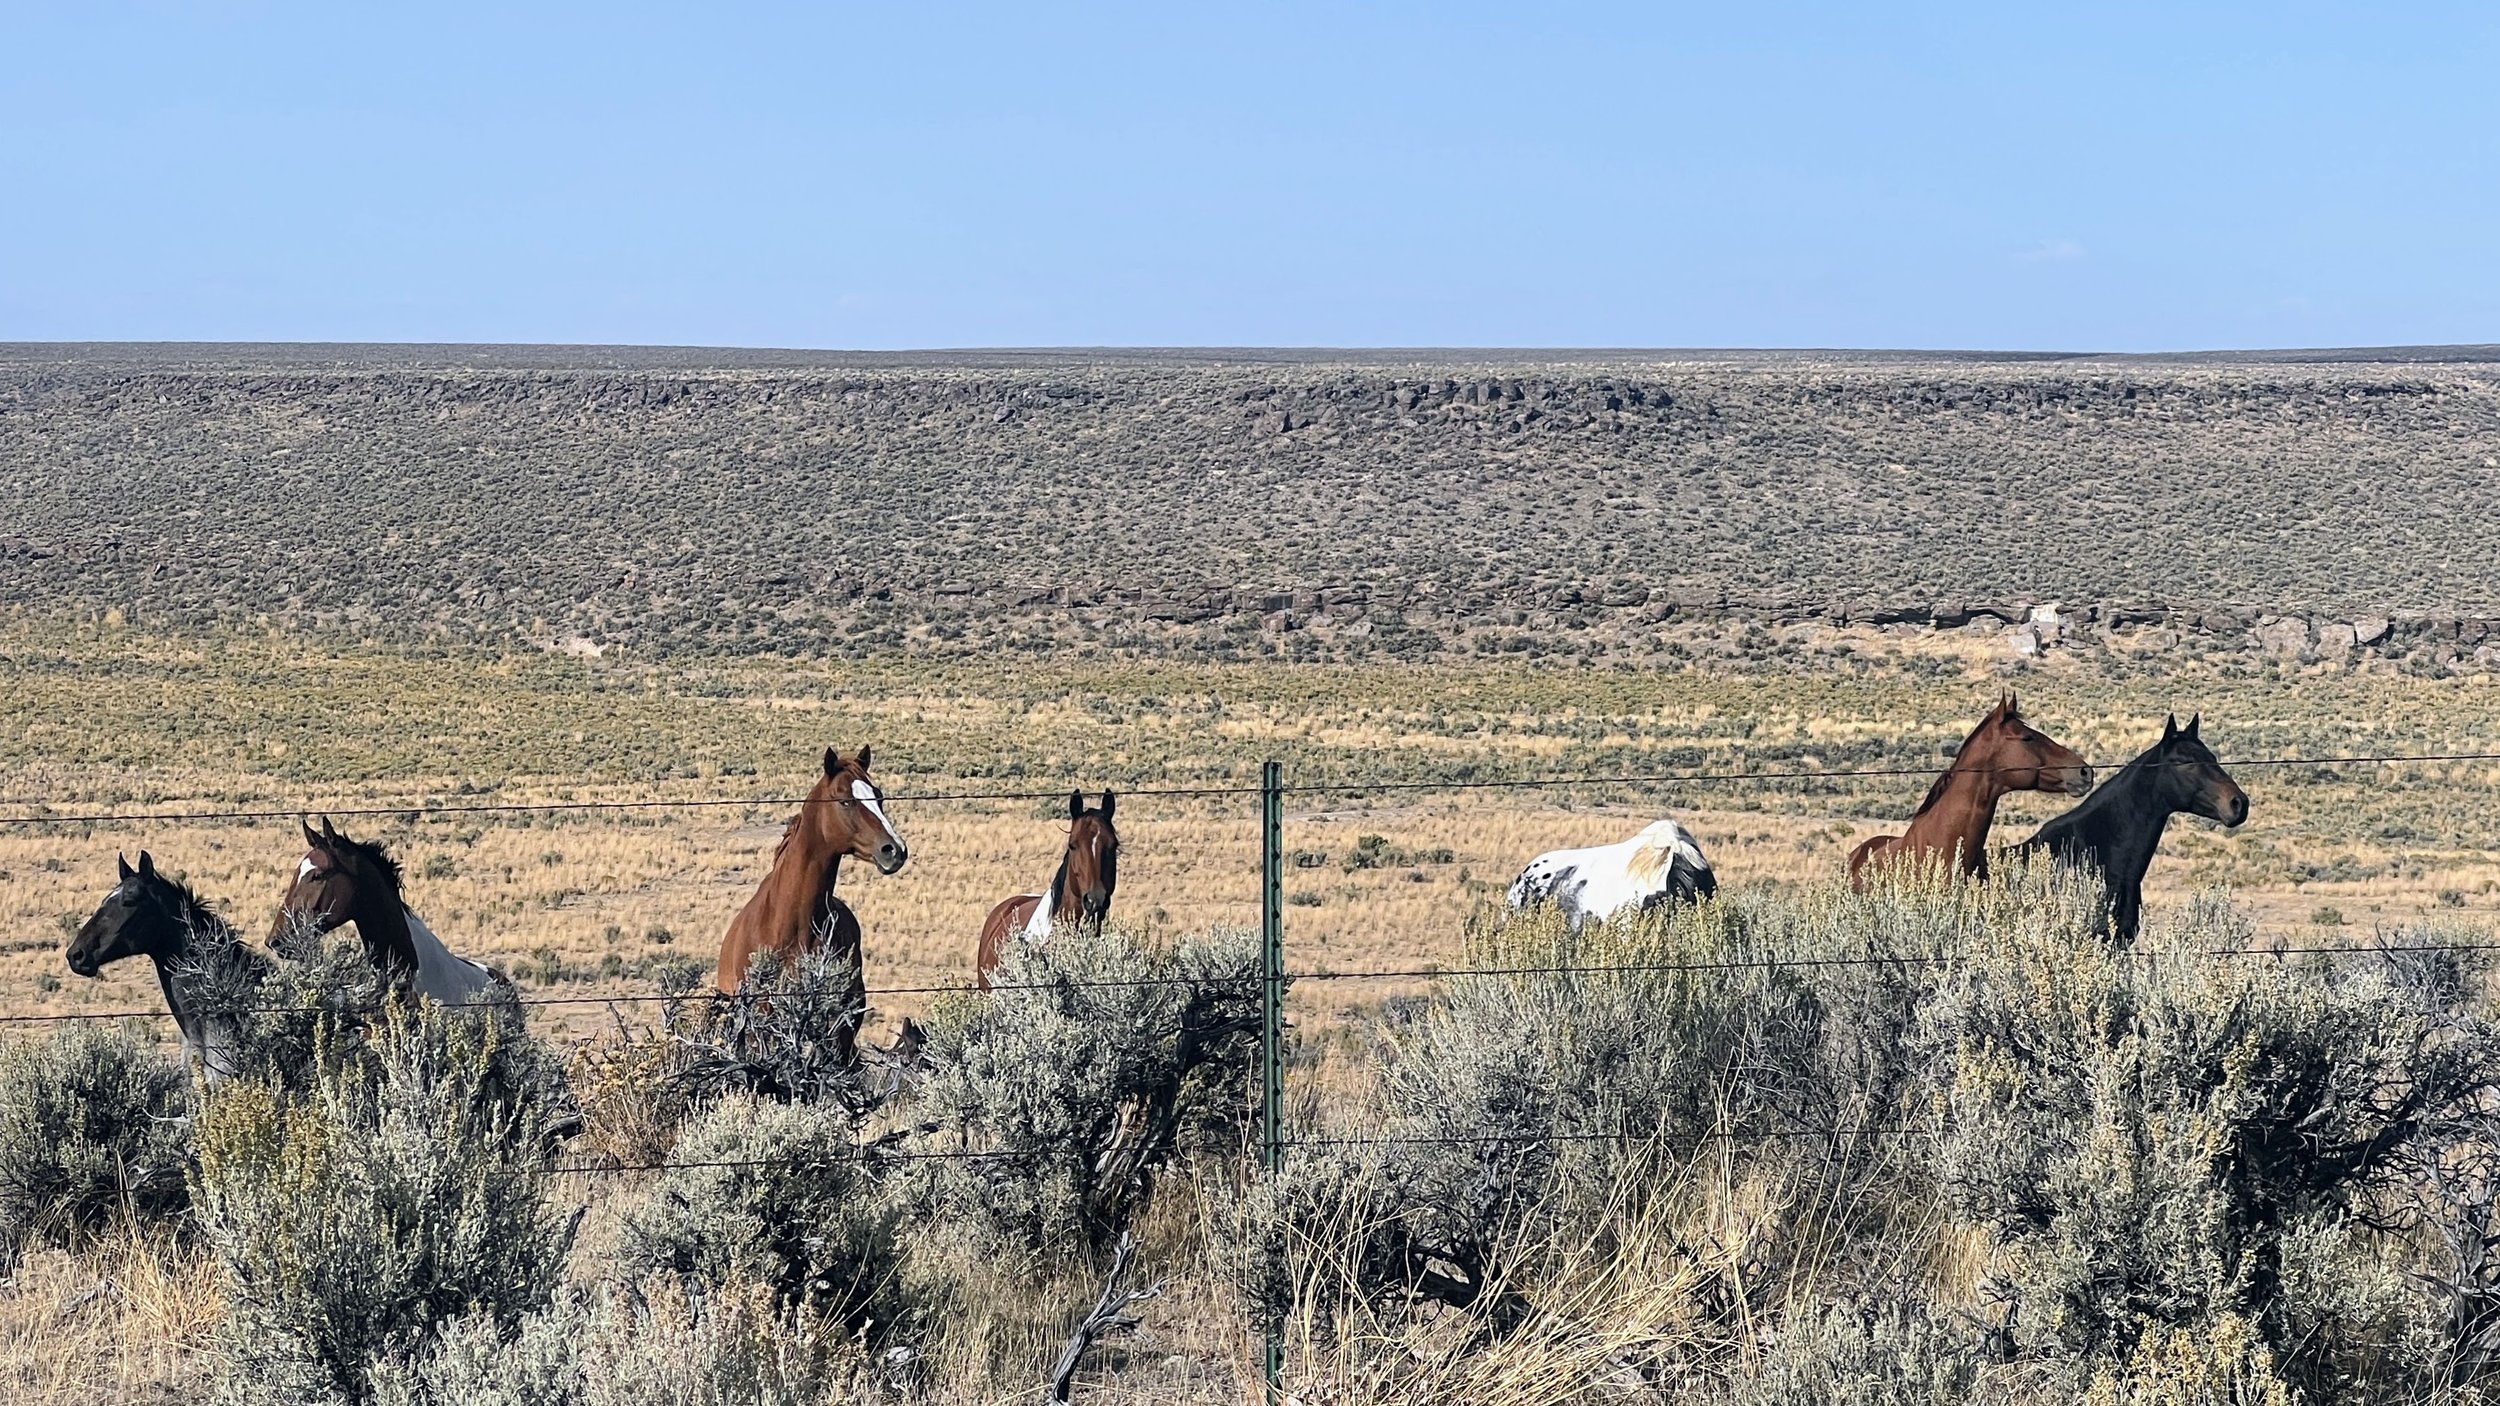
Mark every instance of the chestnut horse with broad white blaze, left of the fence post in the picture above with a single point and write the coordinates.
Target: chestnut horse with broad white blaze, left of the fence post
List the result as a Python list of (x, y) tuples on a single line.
[(794, 909)]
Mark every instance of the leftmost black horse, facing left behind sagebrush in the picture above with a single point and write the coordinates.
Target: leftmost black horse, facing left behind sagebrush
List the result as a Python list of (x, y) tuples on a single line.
[(196, 954)]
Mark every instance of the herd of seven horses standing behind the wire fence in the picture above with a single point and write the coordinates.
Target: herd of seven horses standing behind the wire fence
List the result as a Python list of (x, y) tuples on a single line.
[(796, 912)]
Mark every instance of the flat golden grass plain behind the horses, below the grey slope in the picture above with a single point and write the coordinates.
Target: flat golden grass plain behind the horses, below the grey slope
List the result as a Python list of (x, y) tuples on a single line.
[(121, 722)]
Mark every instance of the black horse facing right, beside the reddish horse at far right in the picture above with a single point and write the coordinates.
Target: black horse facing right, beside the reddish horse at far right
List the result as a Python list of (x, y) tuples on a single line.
[(2119, 827)]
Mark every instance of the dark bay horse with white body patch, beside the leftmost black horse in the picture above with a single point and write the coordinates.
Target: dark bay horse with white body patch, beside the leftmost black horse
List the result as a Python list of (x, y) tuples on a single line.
[(356, 882)]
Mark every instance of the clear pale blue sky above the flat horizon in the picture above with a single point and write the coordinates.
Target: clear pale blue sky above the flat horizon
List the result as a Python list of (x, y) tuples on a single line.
[(924, 176)]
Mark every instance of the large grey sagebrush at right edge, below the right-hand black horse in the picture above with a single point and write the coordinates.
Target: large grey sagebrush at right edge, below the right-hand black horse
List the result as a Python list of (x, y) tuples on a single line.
[(2174, 1140)]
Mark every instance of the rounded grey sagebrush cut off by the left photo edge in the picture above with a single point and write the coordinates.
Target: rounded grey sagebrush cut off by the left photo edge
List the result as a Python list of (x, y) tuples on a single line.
[(91, 1125)]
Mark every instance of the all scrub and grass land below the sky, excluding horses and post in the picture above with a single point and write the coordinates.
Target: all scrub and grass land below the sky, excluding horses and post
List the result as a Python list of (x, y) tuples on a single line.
[(1974, 1157)]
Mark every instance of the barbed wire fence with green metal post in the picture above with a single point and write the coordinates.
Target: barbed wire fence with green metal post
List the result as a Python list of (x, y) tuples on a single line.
[(1274, 979)]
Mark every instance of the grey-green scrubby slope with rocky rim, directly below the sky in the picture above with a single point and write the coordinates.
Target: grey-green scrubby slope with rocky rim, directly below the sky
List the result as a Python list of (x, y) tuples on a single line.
[(721, 502)]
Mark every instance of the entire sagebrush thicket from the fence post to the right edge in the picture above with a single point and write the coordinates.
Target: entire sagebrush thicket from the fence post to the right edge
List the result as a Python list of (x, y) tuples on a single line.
[(2189, 1170)]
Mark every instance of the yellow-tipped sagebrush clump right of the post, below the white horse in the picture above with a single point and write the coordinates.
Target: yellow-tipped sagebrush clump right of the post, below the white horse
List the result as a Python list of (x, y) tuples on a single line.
[(1519, 1107)]
